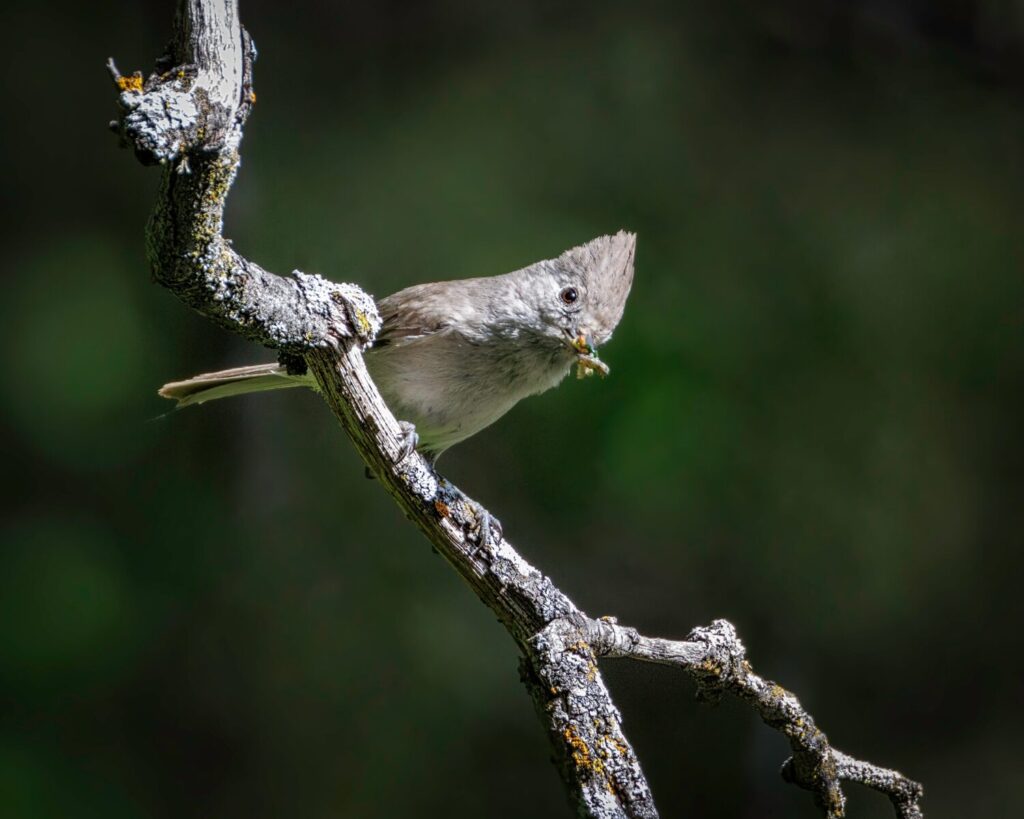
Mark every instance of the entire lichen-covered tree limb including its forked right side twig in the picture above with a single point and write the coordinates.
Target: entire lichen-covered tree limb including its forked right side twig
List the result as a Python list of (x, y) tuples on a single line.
[(189, 117)]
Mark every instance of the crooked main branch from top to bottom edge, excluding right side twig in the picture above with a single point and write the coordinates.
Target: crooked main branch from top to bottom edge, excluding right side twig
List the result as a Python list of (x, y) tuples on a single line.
[(188, 117)]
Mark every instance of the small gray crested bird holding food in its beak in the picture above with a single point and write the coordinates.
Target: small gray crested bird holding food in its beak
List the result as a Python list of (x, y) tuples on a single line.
[(452, 358)]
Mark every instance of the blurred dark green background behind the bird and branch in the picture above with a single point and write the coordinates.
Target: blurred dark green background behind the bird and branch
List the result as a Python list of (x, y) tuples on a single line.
[(813, 426)]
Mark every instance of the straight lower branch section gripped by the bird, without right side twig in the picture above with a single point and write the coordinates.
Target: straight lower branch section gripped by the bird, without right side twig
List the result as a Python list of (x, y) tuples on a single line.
[(598, 762)]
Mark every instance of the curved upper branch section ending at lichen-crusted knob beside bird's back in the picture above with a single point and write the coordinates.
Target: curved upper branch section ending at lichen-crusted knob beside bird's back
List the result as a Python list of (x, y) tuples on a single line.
[(189, 117)]
